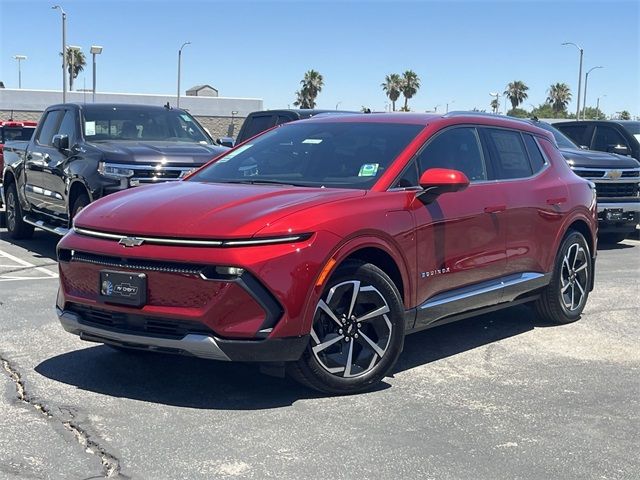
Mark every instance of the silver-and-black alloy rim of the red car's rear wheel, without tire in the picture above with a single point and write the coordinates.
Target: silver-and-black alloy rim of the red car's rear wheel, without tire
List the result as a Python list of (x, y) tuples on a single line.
[(574, 277)]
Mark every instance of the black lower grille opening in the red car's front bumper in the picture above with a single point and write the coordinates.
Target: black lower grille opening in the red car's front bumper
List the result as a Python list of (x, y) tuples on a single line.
[(137, 324)]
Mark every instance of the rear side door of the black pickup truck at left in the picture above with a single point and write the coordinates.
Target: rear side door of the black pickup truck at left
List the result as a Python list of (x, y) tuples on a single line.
[(38, 156)]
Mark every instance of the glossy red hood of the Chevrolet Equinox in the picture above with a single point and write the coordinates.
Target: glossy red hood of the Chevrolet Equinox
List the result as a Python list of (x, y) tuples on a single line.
[(202, 210)]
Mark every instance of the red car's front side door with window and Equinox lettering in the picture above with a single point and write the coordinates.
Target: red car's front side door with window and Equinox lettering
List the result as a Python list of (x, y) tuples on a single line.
[(460, 236)]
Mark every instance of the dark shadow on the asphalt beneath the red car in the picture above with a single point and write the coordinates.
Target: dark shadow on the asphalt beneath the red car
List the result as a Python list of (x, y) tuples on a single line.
[(196, 383)]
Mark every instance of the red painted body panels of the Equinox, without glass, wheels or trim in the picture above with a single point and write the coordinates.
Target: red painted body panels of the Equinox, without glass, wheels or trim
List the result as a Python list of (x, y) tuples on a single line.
[(483, 231)]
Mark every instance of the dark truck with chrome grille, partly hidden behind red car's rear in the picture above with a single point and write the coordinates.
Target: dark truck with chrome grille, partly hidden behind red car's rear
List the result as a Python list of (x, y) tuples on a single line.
[(617, 180)]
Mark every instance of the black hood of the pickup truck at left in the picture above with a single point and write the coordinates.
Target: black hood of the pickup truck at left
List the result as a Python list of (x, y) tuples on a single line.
[(161, 152)]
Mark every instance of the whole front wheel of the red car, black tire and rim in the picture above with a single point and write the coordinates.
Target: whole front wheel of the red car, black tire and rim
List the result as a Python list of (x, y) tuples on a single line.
[(368, 289)]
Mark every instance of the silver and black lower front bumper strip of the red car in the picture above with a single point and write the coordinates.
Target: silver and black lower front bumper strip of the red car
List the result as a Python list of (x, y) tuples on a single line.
[(198, 345)]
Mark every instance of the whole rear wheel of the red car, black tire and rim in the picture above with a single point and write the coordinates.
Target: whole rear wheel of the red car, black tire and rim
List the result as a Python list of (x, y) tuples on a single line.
[(571, 279)]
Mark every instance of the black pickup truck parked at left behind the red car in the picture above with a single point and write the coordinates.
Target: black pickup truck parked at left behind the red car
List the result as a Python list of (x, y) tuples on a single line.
[(81, 152)]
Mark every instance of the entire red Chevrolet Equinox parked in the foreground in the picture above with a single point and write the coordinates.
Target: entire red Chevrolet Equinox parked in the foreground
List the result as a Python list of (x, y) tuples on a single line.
[(318, 245)]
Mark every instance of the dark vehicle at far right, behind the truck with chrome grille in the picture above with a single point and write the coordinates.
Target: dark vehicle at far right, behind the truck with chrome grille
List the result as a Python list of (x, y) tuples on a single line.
[(613, 136)]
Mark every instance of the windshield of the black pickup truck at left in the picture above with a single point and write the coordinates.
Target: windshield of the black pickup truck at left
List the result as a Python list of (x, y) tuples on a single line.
[(115, 123)]
